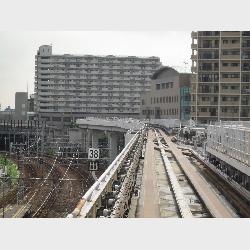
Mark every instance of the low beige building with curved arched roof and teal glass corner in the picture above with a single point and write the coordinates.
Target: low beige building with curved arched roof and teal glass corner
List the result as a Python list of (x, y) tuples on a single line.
[(168, 97)]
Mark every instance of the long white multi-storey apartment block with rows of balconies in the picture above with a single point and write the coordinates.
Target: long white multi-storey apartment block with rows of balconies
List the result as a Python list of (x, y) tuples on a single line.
[(68, 87)]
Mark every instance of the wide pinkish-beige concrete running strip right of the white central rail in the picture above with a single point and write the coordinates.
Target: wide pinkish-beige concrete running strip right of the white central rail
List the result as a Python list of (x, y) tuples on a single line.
[(215, 206)]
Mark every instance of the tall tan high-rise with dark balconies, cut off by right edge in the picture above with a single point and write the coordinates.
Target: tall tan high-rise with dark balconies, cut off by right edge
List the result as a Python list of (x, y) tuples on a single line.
[(221, 88)]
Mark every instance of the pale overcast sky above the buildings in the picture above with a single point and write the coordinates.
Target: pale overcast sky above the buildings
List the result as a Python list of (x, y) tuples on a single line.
[(18, 50)]
